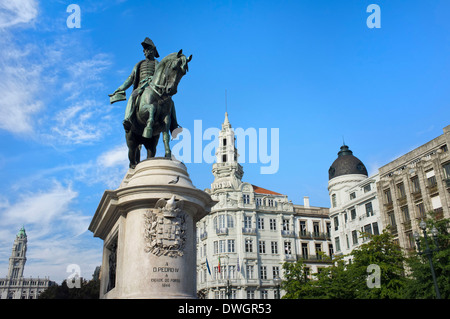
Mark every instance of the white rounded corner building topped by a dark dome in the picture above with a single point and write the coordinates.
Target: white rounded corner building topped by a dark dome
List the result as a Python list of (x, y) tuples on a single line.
[(354, 212)]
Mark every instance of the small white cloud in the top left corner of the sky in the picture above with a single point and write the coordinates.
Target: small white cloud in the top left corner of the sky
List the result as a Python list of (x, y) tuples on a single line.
[(17, 12)]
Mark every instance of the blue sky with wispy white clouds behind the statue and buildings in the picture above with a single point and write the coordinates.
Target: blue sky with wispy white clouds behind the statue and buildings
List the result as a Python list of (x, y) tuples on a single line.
[(312, 69)]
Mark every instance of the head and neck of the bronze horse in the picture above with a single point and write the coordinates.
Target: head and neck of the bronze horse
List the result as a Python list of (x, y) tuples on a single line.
[(170, 71)]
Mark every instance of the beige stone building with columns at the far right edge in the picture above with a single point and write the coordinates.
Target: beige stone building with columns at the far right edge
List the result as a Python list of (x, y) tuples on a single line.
[(413, 185)]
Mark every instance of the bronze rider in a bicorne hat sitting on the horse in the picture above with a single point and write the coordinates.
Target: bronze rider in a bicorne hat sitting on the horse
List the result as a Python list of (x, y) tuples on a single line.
[(141, 75)]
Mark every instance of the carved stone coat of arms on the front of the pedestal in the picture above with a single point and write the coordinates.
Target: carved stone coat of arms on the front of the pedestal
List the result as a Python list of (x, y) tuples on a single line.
[(165, 228)]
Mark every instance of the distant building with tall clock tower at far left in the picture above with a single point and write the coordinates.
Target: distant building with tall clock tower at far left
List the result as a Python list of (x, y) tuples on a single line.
[(15, 286)]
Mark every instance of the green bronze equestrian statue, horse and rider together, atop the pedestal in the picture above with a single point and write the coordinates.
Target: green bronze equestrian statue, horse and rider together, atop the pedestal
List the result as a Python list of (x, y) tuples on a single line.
[(150, 109)]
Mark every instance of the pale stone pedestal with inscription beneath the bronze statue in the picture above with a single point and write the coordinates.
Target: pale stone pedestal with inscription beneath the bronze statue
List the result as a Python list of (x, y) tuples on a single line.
[(149, 234)]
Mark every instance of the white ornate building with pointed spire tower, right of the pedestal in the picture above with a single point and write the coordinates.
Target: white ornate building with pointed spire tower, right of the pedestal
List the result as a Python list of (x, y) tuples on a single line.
[(252, 231)]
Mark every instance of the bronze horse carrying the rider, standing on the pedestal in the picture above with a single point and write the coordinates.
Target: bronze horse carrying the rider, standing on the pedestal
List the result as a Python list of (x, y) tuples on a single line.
[(155, 110)]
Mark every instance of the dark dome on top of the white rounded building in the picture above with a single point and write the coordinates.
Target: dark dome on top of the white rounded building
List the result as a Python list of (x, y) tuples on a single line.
[(346, 164)]
